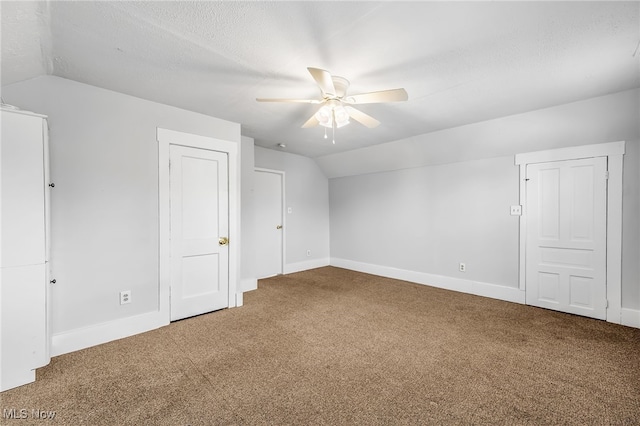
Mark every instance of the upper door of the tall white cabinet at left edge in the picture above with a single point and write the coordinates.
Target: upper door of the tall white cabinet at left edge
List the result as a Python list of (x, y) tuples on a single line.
[(22, 193)]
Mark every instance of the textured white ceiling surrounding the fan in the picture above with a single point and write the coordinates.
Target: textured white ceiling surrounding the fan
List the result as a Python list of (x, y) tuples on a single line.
[(460, 62)]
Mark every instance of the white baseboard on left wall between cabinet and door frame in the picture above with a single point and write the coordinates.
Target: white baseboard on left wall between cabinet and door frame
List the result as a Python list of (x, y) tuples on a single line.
[(94, 335)]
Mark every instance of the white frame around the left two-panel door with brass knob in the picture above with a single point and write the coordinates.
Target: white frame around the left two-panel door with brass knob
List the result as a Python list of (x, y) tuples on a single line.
[(165, 138)]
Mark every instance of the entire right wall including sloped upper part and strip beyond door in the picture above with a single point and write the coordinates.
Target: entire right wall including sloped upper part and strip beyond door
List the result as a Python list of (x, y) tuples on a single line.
[(424, 204)]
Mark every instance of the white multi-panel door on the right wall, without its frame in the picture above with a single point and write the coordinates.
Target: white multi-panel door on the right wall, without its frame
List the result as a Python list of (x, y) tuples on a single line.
[(566, 236)]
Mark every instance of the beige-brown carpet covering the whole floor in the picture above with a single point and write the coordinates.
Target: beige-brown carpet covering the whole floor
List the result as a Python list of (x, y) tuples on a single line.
[(336, 347)]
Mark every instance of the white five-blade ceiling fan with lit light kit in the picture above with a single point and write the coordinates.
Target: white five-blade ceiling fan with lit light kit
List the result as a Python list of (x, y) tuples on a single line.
[(336, 106)]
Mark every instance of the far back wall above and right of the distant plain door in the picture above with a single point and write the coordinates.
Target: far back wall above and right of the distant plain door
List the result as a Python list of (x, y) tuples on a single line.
[(307, 193)]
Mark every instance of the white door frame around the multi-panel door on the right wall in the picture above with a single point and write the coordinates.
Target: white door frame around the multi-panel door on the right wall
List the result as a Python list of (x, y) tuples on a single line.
[(614, 152)]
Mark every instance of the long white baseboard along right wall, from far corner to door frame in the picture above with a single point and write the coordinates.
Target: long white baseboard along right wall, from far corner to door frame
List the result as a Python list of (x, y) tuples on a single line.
[(509, 294)]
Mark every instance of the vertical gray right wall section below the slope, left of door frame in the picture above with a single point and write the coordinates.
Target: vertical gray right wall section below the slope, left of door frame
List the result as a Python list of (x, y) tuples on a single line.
[(429, 219)]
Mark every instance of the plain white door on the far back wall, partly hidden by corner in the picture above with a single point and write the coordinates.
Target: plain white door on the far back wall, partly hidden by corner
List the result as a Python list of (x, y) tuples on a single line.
[(269, 223)]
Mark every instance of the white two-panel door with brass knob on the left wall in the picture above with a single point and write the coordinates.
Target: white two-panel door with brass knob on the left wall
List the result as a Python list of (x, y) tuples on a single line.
[(199, 194)]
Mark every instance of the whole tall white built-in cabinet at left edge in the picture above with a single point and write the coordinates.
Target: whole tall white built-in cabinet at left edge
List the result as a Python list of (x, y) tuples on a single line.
[(24, 201)]
